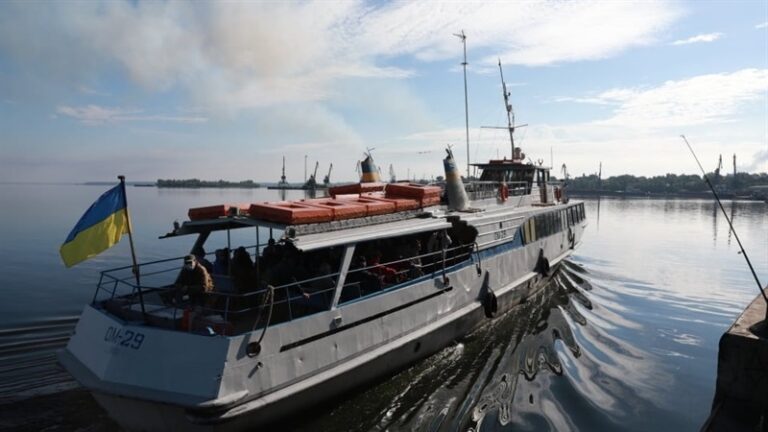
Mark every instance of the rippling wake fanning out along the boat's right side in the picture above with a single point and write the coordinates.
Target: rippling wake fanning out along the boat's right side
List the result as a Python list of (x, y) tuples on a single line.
[(560, 361)]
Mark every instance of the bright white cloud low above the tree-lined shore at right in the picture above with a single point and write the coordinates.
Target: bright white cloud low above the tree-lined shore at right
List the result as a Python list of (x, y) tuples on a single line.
[(641, 130)]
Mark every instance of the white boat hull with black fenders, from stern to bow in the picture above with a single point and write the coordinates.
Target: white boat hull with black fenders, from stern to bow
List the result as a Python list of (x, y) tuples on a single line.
[(208, 383)]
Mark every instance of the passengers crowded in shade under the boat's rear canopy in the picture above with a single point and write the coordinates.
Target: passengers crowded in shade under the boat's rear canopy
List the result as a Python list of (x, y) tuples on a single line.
[(308, 279)]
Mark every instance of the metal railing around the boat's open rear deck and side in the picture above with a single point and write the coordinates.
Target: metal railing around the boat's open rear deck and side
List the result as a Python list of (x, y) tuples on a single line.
[(220, 312)]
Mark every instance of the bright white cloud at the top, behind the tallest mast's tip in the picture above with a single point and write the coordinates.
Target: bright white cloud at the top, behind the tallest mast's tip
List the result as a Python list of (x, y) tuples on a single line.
[(529, 33)]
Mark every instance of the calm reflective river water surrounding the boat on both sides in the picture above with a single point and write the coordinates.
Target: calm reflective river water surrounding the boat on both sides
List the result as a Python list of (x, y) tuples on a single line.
[(625, 338)]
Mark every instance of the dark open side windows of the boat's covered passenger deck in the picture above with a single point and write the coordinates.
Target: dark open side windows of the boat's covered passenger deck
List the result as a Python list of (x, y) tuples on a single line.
[(307, 285)]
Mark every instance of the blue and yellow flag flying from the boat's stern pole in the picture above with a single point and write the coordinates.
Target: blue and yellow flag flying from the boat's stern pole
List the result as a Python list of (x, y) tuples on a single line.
[(99, 229)]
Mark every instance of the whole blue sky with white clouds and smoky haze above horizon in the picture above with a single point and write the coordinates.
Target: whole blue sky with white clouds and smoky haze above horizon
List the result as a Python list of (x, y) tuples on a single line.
[(224, 90)]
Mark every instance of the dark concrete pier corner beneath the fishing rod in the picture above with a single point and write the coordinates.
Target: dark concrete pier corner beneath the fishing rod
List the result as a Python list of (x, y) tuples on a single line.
[(741, 395)]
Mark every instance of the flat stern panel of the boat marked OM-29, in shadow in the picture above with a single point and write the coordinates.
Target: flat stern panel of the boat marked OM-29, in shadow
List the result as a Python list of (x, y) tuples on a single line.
[(163, 368)]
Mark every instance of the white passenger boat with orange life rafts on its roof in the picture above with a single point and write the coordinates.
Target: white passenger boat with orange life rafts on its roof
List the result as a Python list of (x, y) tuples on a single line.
[(355, 286)]
